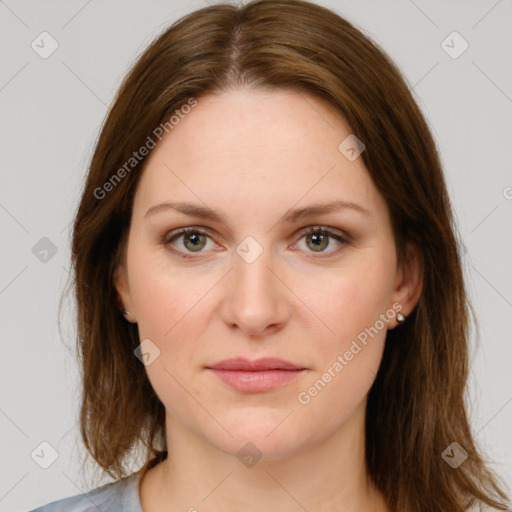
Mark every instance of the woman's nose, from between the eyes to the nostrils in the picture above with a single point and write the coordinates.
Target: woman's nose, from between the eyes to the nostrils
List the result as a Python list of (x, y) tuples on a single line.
[(255, 299)]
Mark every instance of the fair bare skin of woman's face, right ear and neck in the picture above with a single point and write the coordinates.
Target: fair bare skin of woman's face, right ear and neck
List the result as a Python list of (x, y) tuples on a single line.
[(252, 155)]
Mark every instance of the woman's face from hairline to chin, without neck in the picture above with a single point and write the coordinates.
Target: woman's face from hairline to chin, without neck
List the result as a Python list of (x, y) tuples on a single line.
[(252, 283)]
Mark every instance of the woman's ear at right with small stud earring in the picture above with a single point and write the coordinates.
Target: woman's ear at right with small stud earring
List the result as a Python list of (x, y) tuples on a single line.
[(409, 280)]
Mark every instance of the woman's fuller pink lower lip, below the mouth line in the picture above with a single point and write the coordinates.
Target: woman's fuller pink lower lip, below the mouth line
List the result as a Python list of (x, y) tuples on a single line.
[(256, 381)]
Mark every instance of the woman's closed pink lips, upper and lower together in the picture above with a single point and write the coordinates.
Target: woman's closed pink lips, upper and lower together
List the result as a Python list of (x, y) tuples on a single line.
[(257, 376)]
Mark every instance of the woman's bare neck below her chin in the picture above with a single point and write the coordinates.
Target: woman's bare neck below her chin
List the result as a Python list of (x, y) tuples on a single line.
[(328, 474)]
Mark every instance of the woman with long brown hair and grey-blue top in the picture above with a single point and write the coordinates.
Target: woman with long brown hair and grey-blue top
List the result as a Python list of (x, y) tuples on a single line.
[(271, 306)]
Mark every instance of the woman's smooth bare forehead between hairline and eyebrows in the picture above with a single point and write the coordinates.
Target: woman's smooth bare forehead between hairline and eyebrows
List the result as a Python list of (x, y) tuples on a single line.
[(255, 149)]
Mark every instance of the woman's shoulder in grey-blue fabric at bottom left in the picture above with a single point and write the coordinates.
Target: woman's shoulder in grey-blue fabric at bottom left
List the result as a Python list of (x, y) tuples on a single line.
[(120, 496)]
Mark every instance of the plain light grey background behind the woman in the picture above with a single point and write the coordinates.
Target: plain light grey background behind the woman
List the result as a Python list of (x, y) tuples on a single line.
[(51, 111)]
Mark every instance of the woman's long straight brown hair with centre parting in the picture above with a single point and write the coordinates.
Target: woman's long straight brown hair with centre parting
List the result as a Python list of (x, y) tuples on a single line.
[(416, 406)]
